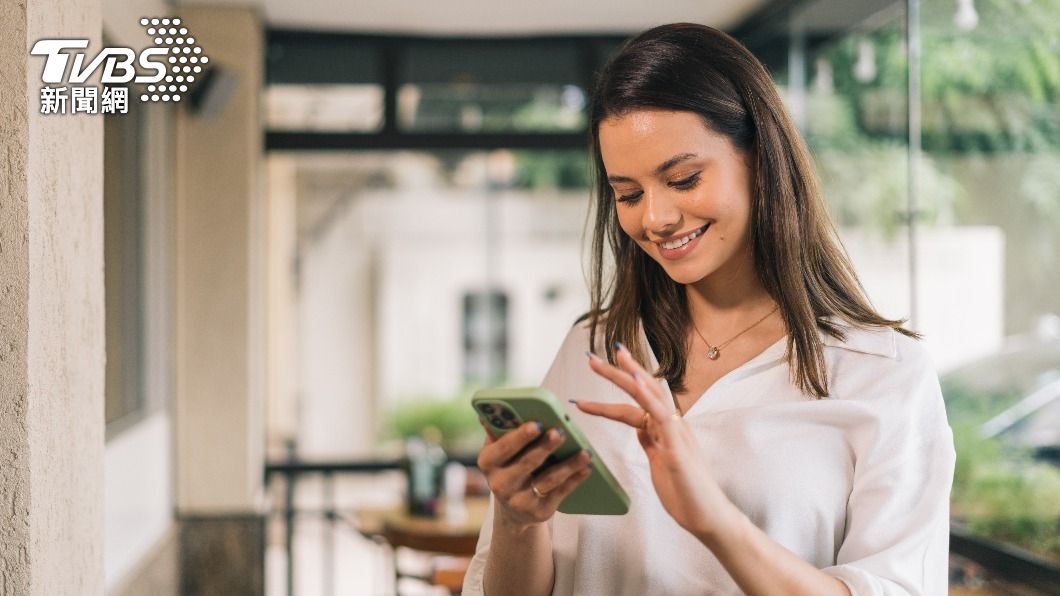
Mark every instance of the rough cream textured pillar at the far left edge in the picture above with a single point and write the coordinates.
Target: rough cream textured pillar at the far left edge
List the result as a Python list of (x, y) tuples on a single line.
[(51, 318)]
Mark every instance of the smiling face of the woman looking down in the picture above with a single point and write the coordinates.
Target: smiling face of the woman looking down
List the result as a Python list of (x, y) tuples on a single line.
[(674, 178)]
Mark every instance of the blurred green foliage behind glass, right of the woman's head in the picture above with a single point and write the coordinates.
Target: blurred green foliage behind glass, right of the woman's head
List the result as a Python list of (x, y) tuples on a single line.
[(990, 92)]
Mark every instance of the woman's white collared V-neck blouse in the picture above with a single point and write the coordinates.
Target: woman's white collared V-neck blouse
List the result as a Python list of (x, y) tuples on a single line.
[(857, 484)]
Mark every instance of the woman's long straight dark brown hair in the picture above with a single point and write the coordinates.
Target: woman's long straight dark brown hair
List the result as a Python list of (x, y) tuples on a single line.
[(799, 257)]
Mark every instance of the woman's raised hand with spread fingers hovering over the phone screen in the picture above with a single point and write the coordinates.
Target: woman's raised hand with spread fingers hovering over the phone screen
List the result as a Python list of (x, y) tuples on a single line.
[(680, 470)]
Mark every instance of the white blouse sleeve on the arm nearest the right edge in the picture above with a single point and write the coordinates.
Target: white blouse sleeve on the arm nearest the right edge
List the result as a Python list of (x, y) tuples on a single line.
[(898, 515)]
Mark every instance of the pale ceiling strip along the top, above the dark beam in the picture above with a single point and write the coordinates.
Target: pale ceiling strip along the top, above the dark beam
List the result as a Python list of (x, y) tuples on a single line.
[(491, 17)]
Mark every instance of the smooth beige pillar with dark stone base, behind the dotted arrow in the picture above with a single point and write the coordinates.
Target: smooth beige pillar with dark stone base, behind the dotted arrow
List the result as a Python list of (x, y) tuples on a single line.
[(220, 385)]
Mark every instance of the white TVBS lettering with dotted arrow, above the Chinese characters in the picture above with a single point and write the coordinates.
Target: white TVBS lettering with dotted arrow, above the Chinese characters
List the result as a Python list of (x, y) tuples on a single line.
[(167, 68)]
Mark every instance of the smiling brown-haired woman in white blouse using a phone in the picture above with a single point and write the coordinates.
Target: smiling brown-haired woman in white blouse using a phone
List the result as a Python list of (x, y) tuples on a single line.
[(782, 437)]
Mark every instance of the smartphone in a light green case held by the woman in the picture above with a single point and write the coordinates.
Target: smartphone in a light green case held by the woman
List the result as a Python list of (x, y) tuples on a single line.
[(503, 411)]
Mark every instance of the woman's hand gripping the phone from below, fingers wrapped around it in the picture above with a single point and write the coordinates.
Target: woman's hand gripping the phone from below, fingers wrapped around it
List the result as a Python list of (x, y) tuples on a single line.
[(508, 464)]
